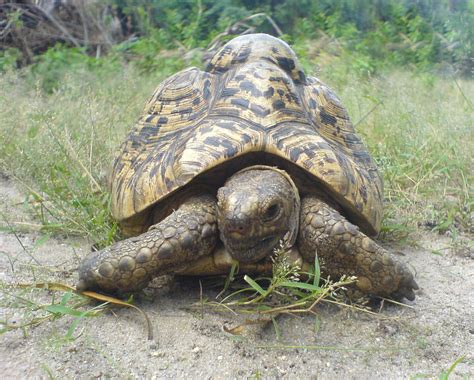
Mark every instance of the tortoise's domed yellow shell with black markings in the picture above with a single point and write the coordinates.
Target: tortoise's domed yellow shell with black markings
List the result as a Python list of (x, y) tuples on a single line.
[(253, 97)]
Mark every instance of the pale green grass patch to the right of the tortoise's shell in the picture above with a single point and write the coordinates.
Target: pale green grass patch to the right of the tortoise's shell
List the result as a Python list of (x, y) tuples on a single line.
[(420, 130)]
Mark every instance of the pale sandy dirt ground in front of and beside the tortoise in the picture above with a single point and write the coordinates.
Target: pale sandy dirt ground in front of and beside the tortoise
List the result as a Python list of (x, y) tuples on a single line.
[(421, 340)]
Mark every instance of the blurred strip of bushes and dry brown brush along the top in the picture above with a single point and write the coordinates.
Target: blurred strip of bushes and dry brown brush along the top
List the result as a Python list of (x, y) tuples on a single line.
[(53, 37)]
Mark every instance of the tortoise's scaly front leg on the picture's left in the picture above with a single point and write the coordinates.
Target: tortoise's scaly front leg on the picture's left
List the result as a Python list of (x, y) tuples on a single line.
[(184, 236)]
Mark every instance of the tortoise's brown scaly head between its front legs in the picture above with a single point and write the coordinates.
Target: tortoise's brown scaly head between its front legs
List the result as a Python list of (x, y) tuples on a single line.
[(257, 207)]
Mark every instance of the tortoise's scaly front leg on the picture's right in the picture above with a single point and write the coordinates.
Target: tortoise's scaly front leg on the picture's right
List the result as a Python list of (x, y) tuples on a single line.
[(343, 250)]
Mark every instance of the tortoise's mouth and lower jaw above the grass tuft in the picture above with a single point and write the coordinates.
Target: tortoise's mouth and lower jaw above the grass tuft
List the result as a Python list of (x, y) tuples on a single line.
[(253, 250)]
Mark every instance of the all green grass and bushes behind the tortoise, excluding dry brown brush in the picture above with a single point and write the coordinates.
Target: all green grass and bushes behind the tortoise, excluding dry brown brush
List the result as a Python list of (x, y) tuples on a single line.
[(402, 68)]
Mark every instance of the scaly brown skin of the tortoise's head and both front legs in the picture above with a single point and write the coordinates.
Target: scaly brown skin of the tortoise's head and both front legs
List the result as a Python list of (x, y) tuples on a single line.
[(186, 240)]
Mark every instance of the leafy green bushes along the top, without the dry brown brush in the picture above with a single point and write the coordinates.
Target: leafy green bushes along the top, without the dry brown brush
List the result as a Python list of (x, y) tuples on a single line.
[(372, 34)]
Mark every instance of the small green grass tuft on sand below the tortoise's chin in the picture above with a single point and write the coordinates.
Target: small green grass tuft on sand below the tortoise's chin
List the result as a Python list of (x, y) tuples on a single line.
[(290, 290)]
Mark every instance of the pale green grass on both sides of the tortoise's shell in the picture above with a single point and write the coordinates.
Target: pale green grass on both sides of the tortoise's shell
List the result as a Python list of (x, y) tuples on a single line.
[(59, 145)]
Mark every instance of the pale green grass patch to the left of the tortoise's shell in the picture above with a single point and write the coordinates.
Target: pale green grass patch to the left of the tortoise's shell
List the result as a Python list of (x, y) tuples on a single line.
[(59, 146)]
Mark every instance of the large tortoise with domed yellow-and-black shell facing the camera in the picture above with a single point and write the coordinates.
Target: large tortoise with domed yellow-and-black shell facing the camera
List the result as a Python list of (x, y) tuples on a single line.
[(226, 163)]
